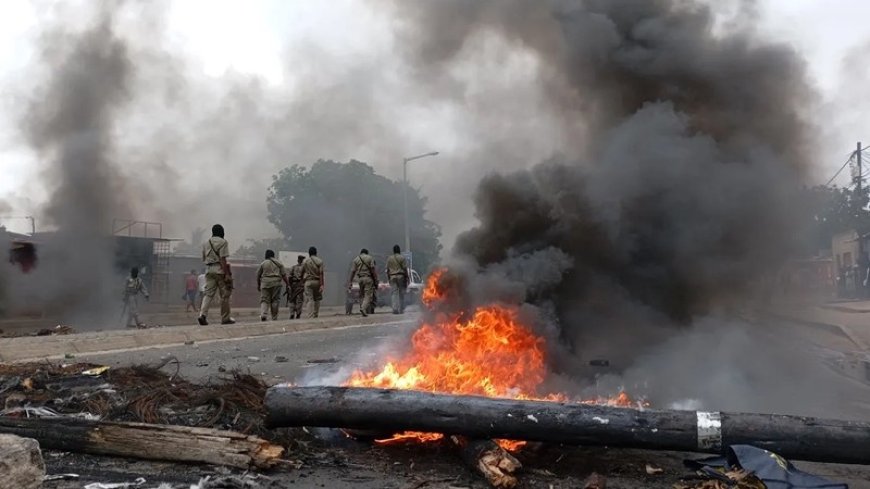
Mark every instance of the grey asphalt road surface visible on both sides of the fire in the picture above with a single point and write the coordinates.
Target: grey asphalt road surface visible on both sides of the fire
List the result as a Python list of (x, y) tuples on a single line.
[(813, 357)]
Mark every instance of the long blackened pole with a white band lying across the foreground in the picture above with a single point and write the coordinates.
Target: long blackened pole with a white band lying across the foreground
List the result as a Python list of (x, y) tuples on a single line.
[(390, 410)]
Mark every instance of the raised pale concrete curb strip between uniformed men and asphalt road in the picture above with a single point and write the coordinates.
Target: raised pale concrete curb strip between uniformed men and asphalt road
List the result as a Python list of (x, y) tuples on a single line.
[(35, 348)]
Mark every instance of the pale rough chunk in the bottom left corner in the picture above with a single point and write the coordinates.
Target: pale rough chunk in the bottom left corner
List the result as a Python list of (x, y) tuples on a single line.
[(21, 464)]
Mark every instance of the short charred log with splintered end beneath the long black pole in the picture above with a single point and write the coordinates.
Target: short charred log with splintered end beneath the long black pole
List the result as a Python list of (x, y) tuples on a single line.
[(488, 459)]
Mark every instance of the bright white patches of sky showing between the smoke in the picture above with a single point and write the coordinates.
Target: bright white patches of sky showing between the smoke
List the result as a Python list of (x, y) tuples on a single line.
[(255, 37)]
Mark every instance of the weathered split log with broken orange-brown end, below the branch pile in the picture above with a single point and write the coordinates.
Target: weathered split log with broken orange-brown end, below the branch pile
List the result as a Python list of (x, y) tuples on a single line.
[(146, 441)]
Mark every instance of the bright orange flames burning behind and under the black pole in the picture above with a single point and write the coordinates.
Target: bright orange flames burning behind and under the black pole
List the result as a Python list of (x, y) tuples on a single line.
[(488, 353)]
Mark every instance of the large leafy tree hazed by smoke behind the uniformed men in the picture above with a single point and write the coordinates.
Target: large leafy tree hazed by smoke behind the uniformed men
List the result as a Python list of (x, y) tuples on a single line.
[(343, 207)]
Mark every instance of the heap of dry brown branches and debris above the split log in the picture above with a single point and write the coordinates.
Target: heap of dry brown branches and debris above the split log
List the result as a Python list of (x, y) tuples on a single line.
[(141, 393)]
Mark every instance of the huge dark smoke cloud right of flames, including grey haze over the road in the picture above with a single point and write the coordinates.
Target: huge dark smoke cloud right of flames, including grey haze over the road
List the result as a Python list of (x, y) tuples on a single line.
[(669, 211)]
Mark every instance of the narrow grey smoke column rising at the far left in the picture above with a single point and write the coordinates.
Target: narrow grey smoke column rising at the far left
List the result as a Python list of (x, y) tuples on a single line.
[(69, 124)]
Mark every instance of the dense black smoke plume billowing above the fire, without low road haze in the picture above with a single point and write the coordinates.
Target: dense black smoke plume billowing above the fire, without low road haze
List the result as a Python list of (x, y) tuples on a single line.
[(692, 142)]
